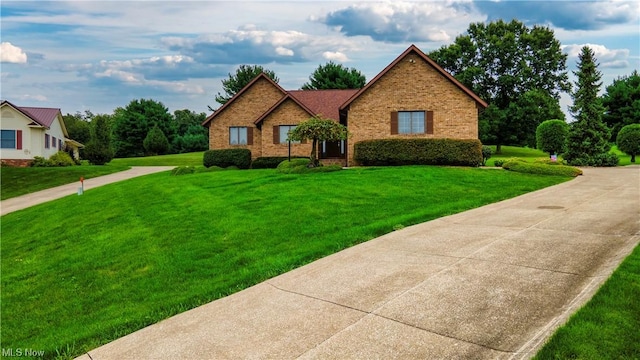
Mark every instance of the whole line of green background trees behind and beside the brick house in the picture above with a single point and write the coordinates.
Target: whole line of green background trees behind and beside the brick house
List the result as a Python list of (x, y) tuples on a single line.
[(519, 71)]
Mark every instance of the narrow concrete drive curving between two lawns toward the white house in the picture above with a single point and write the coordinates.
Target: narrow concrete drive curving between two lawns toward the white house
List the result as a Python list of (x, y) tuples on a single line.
[(25, 201)]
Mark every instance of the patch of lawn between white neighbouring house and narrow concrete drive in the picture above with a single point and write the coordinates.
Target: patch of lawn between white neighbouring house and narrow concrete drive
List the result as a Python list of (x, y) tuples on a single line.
[(21, 181)]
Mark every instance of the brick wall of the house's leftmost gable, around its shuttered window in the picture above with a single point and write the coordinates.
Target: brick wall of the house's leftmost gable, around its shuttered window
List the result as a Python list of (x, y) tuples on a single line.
[(243, 112)]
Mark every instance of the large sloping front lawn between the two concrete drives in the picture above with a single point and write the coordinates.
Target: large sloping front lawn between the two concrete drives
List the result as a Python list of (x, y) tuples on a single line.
[(81, 271)]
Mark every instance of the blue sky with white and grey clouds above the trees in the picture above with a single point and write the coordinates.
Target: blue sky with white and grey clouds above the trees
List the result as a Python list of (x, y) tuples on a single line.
[(99, 55)]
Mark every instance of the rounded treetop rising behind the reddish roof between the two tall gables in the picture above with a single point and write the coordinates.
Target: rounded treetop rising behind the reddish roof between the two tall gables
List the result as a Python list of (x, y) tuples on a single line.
[(335, 76)]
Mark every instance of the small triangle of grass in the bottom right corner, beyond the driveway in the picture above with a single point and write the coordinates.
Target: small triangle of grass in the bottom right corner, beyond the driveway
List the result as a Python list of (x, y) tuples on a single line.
[(608, 326)]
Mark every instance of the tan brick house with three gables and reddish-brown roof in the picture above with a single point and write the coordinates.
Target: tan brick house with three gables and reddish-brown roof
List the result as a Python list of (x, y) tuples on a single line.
[(412, 97)]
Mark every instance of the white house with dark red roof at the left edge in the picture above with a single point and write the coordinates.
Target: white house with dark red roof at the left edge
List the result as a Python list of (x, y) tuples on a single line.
[(32, 131)]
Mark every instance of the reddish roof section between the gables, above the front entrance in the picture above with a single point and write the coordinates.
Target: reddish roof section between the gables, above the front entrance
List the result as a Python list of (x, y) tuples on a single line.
[(323, 102)]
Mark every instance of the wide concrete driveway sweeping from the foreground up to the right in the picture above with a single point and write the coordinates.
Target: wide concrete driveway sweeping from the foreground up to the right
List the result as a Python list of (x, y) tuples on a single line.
[(492, 282)]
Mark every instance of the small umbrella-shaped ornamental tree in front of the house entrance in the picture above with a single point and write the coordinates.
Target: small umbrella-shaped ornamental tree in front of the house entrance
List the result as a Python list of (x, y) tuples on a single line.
[(318, 129)]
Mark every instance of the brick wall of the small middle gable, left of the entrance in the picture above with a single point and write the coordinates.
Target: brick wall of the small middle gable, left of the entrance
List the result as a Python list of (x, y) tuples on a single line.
[(288, 113)]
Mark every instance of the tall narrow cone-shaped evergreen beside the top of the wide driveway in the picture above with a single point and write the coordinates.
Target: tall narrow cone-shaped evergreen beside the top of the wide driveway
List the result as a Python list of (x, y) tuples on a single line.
[(587, 143)]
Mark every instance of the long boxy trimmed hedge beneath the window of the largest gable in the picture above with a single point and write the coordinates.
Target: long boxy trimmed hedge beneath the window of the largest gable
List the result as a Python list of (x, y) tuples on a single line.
[(395, 152)]
